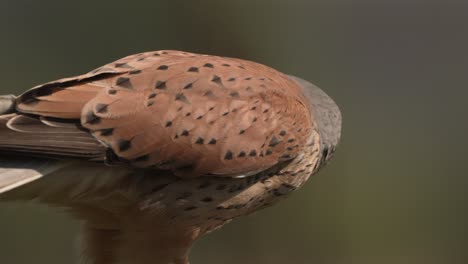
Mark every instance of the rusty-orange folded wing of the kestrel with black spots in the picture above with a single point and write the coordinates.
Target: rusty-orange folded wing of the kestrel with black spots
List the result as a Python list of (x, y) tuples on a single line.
[(192, 114)]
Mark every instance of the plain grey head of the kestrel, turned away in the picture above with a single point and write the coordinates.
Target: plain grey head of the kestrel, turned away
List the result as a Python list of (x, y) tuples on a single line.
[(327, 118)]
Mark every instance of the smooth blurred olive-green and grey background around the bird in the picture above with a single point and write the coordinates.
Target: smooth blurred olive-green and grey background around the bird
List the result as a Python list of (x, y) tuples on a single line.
[(396, 191)]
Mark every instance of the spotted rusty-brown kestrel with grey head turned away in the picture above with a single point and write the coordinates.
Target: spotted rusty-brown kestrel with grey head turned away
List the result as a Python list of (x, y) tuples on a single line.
[(157, 149)]
